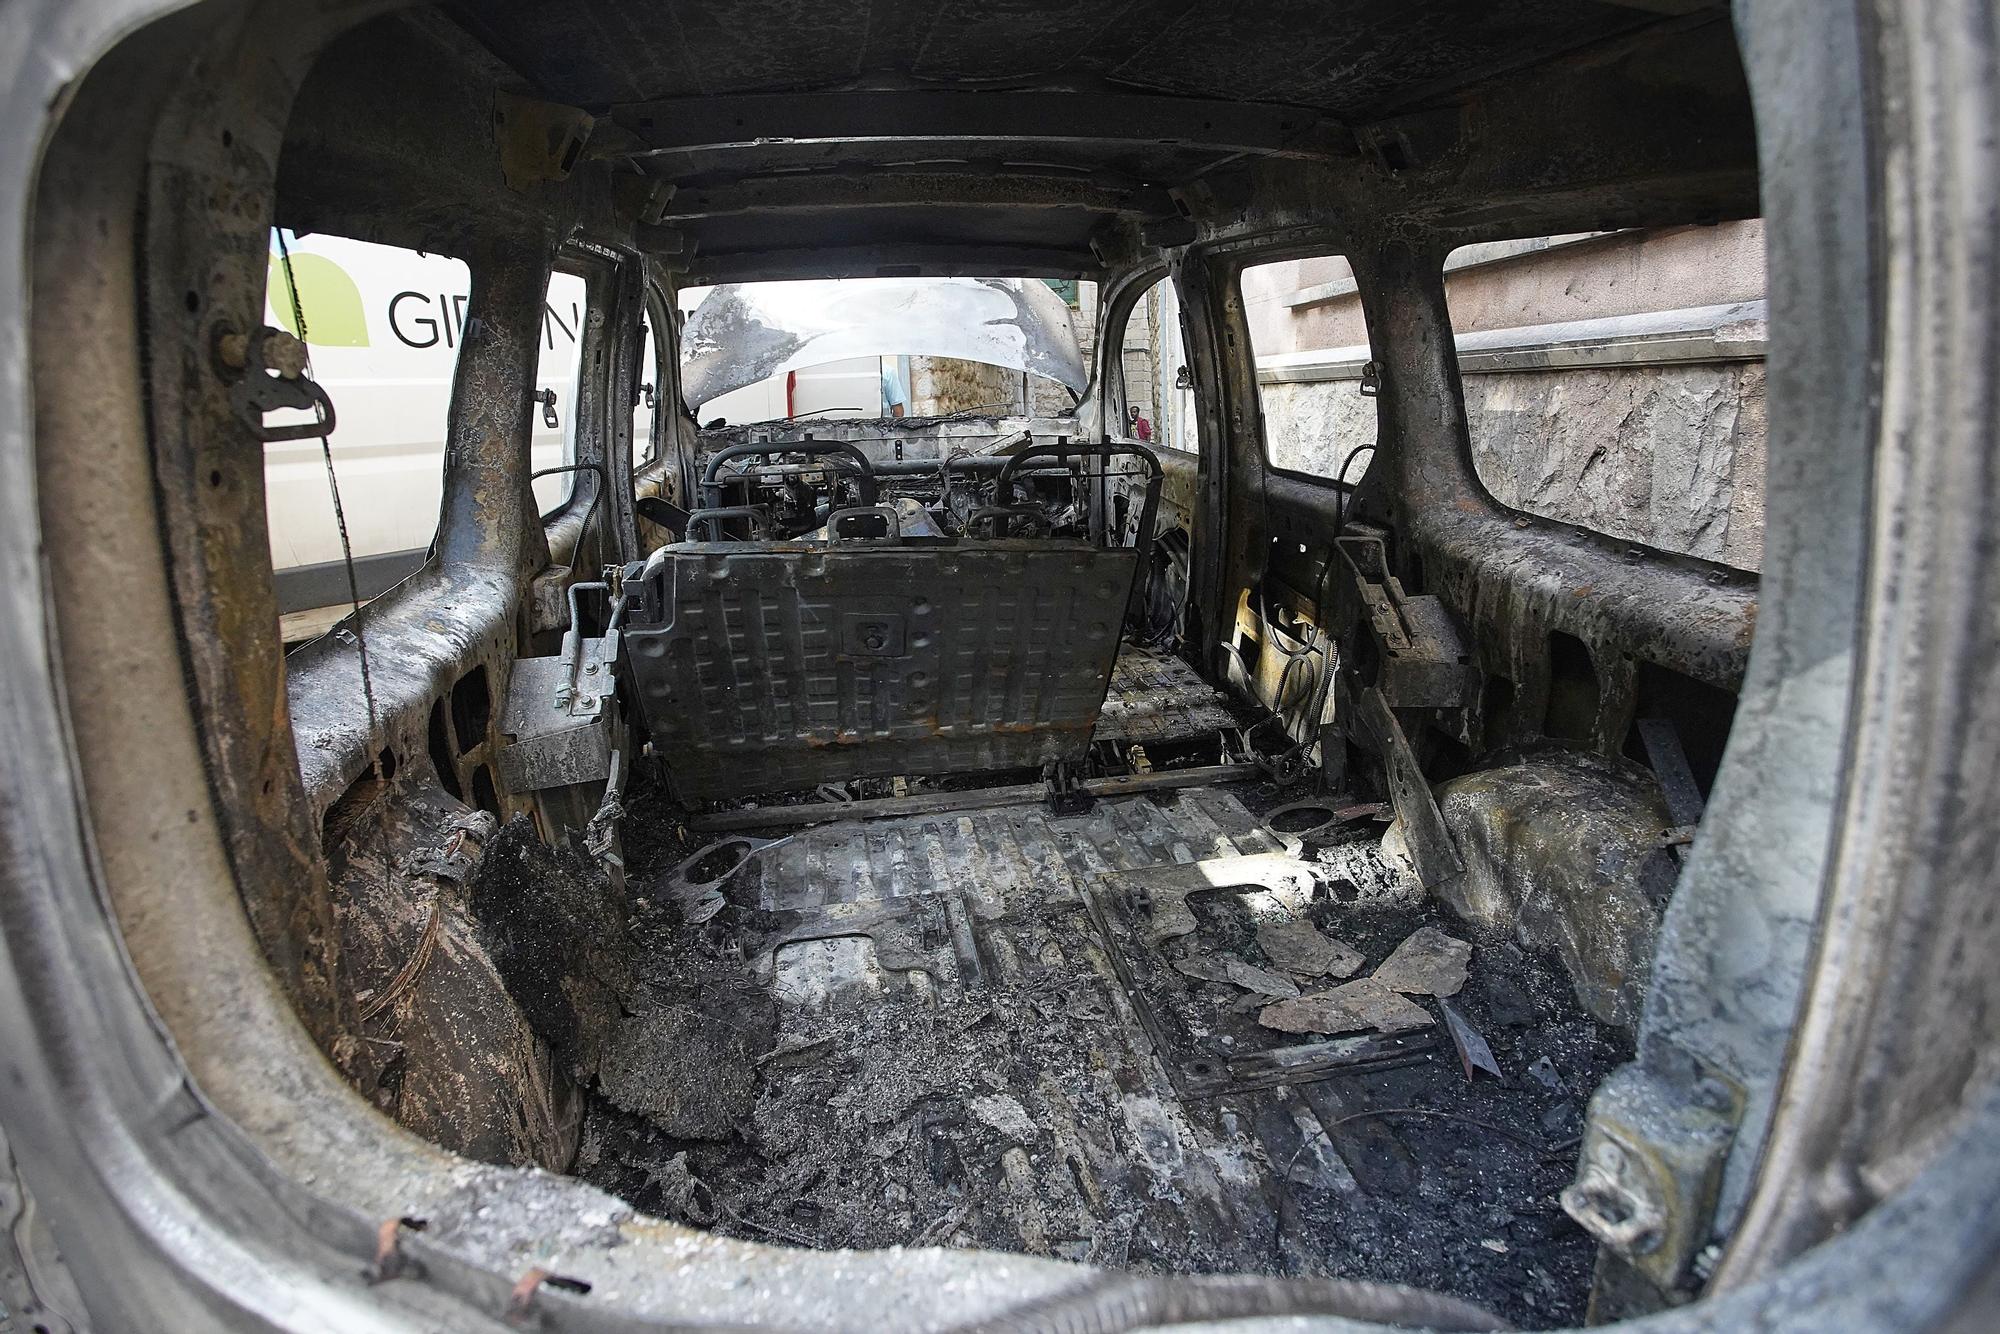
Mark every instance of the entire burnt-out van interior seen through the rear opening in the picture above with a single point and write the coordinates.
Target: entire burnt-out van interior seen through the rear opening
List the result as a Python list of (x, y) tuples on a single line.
[(923, 869)]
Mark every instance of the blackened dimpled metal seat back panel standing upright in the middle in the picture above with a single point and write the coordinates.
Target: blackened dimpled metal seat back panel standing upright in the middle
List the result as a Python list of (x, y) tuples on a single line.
[(775, 667)]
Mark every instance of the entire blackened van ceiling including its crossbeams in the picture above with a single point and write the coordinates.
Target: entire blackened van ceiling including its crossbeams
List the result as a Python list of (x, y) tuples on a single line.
[(1629, 115)]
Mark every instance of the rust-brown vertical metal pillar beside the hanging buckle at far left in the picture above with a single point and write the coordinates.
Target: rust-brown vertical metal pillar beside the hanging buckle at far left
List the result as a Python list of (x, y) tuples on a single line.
[(207, 237)]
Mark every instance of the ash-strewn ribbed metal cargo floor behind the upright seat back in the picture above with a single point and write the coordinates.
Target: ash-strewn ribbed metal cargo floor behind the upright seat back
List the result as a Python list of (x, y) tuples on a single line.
[(1147, 1037)]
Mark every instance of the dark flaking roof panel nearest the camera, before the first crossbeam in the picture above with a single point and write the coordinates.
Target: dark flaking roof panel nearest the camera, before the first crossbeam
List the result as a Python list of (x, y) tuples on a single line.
[(1355, 65)]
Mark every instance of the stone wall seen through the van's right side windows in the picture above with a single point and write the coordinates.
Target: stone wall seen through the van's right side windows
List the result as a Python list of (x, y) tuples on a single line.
[(1667, 455)]
